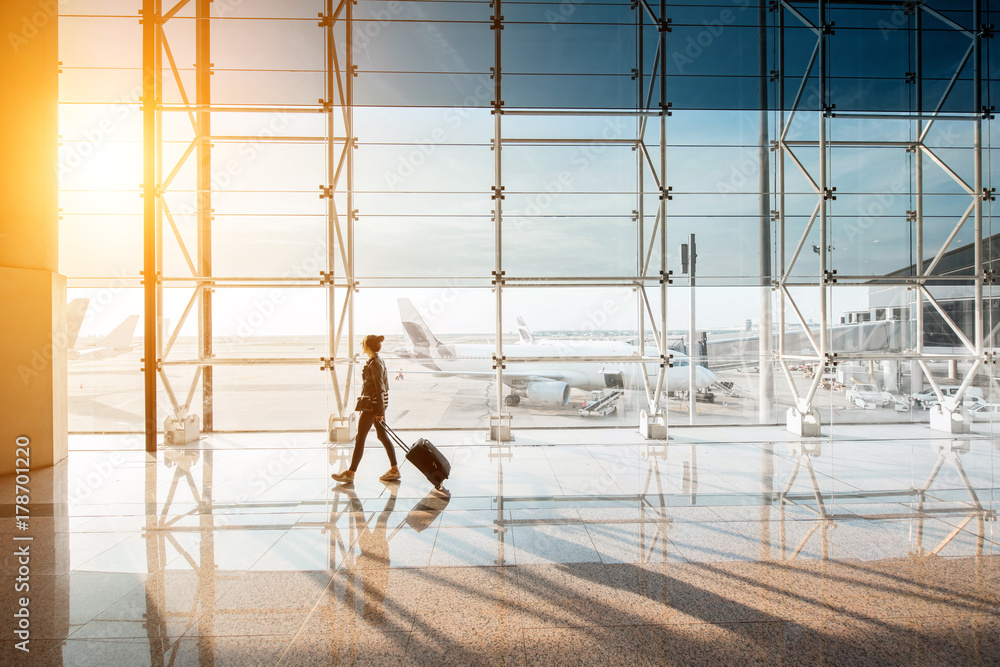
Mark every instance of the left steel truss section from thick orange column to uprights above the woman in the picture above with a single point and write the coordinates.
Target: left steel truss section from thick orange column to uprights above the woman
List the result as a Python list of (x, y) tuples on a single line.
[(336, 22)]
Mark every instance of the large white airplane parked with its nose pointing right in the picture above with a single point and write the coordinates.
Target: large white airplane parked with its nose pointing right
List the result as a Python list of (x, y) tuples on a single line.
[(539, 382)]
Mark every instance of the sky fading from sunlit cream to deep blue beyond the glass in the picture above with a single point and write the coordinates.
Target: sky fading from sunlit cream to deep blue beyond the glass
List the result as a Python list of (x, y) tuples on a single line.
[(423, 174)]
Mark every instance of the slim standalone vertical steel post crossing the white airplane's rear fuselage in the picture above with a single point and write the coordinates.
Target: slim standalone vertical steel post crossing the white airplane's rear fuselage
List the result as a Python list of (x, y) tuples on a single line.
[(498, 205)]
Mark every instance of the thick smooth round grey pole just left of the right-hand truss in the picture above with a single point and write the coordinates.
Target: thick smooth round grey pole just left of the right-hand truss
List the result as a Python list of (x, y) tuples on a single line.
[(766, 378)]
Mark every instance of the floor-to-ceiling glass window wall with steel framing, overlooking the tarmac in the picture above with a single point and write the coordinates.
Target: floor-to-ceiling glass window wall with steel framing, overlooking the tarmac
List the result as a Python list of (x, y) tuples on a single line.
[(539, 204)]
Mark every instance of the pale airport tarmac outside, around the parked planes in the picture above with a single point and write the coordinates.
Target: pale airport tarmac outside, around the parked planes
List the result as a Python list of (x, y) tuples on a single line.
[(106, 396)]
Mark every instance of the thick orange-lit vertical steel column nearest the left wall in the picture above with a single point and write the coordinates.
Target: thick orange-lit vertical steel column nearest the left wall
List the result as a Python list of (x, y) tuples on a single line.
[(149, 148)]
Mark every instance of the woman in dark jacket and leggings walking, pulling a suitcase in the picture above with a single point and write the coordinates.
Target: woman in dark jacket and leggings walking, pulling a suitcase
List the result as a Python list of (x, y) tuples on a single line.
[(372, 404)]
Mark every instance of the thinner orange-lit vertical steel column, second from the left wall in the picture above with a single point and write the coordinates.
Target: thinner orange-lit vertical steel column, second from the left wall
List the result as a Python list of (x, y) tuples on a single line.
[(203, 82)]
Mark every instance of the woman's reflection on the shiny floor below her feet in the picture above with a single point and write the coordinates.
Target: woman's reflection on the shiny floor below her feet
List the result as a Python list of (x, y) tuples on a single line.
[(373, 561)]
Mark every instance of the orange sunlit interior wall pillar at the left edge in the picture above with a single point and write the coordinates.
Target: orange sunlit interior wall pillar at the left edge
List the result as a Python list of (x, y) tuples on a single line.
[(33, 344)]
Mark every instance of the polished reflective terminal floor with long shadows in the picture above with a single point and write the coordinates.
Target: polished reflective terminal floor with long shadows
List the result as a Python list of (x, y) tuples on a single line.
[(874, 545)]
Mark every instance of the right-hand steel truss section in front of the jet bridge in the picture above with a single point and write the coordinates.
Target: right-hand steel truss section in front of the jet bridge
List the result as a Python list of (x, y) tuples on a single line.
[(821, 184)]
